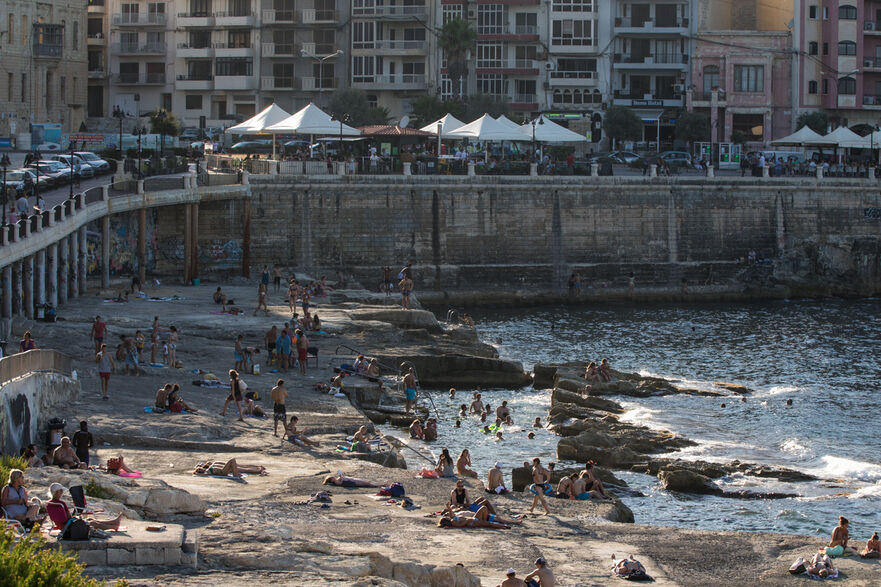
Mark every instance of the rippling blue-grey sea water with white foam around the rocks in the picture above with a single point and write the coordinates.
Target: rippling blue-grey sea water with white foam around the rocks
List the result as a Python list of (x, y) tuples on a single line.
[(823, 355)]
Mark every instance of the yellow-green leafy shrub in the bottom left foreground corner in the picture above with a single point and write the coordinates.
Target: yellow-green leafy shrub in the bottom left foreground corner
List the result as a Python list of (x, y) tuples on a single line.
[(33, 562)]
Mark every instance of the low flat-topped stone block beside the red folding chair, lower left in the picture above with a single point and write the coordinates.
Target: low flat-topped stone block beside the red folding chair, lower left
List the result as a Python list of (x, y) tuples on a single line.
[(173, 546)]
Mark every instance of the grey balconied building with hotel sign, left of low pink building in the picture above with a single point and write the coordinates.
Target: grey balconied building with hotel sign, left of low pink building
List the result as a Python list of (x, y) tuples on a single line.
[(650, 68)]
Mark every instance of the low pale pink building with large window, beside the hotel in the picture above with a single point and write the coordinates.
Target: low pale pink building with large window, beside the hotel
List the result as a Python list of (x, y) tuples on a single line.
[(742, 81)]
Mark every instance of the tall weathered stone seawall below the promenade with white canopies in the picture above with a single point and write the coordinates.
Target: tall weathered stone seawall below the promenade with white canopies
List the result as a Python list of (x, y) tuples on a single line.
[(514, 234)]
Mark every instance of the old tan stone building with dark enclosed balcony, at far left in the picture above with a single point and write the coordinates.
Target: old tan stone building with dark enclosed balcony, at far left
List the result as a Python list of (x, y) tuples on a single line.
[(42, 66)]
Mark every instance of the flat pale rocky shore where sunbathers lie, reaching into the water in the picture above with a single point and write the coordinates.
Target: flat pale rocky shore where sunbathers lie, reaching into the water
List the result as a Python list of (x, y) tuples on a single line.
[(256, 531)]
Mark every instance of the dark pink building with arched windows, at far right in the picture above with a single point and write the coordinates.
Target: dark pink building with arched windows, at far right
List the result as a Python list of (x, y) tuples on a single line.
[(838, 60)]
